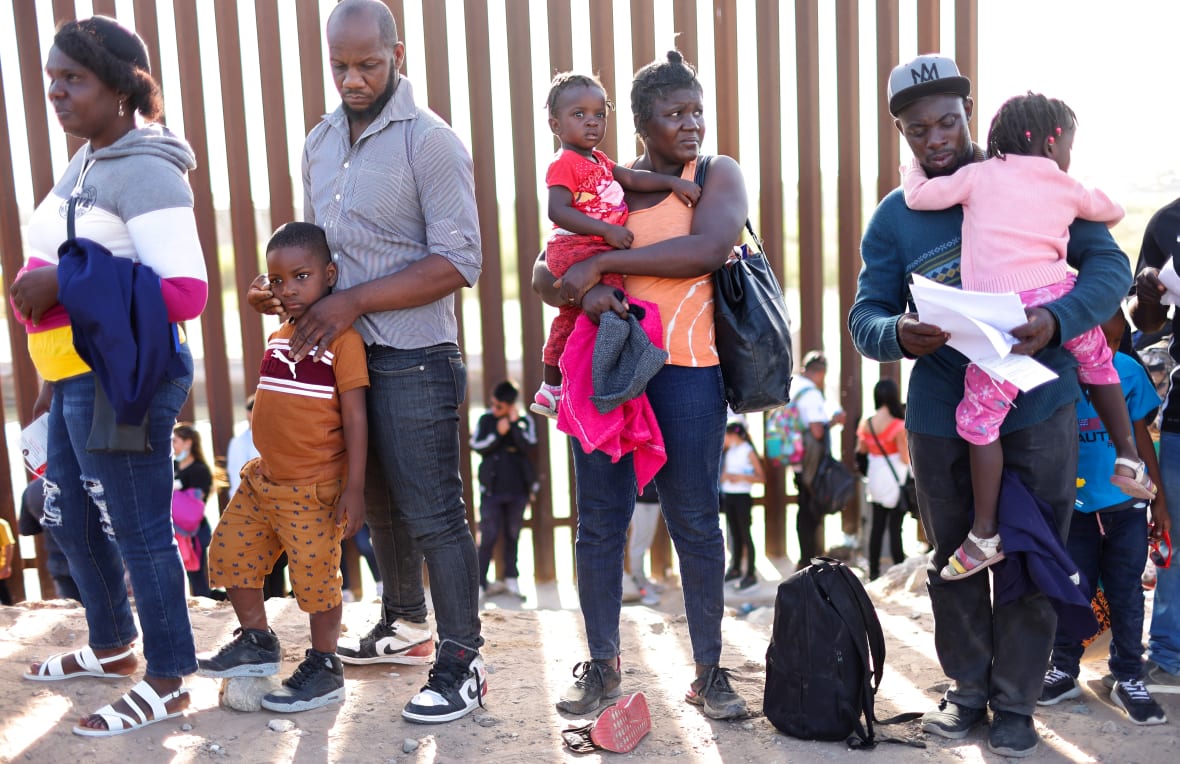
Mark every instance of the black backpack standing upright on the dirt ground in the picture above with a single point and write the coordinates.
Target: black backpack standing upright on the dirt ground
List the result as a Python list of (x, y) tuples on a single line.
[(827, 659)]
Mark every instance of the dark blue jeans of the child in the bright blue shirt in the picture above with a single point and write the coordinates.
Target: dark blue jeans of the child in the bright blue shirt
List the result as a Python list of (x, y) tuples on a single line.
[(1110, 547)]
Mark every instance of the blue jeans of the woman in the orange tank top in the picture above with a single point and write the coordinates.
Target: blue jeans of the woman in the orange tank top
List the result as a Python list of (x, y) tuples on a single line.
[(690, 406)]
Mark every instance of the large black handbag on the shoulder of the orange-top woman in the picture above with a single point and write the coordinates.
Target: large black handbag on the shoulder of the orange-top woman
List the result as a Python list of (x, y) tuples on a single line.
[(752, 331)]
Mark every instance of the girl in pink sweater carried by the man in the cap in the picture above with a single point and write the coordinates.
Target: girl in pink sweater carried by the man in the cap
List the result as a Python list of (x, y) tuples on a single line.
[(1018, 207)]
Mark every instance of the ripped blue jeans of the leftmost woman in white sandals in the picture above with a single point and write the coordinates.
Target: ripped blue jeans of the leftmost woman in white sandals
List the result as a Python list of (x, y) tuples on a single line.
[(110, 511)]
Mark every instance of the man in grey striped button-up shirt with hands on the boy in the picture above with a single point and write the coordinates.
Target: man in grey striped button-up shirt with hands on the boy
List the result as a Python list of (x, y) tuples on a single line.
[(392, 186)]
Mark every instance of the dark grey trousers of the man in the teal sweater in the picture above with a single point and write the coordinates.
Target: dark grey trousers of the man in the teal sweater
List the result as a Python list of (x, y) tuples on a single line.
[(993, 656)]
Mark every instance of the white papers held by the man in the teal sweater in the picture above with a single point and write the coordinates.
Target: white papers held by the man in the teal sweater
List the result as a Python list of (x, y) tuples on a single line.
[(979, 324)]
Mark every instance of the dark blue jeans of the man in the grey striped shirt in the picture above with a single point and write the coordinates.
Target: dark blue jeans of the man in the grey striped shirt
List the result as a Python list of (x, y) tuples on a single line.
[(416, 511)]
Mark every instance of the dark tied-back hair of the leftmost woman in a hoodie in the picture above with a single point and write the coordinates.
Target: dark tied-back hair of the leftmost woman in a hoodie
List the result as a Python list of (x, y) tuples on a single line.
[(117, 56)]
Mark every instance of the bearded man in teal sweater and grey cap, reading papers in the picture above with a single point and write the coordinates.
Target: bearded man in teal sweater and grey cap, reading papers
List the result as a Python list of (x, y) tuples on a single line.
[(998, 656)]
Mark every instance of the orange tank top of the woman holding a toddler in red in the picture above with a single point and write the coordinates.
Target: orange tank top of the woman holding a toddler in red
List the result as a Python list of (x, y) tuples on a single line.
[(686, 305)]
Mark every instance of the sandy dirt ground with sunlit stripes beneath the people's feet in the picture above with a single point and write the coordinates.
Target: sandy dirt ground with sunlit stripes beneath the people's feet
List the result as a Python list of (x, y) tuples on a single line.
[(532, 649)]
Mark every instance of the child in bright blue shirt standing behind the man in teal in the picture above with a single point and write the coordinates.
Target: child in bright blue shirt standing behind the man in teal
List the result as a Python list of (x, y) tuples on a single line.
[(1109, 544)]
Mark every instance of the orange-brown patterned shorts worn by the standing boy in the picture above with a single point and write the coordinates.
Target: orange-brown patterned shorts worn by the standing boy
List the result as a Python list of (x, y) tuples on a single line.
[(264, 520)]
